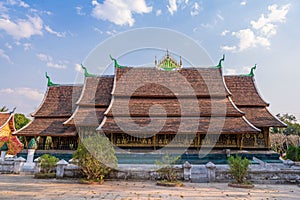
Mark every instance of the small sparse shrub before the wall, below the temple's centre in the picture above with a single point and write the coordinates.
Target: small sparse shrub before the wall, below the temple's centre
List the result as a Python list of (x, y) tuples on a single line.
[(166, 170)]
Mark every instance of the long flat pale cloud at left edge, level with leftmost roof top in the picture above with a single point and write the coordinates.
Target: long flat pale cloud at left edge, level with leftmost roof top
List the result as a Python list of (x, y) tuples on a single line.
[(29, 93)]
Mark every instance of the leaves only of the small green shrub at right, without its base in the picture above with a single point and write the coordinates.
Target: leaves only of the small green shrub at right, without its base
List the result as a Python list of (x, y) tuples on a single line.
[(238, 168)]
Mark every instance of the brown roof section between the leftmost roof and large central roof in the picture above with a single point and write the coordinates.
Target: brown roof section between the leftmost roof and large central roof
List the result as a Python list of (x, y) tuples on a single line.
[(93, 102)]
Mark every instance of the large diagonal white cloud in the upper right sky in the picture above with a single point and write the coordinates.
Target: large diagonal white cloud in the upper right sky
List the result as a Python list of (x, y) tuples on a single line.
[(261, 30)]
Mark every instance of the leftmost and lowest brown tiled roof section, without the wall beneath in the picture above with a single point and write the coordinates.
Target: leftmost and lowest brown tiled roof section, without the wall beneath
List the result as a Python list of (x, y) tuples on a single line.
[(56, 108)]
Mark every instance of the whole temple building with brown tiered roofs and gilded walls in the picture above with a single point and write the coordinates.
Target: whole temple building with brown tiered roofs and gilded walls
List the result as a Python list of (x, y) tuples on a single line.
[(154, 107)]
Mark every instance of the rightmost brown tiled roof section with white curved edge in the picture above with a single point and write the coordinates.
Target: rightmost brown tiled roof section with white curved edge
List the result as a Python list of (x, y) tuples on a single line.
[(247, 98)]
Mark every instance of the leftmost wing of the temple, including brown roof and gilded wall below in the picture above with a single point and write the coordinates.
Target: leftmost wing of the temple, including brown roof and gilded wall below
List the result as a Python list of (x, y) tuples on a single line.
[(47, 126)]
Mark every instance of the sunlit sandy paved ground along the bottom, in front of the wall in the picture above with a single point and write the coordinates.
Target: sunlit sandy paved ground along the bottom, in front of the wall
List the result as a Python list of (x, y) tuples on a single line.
[(26, 187)]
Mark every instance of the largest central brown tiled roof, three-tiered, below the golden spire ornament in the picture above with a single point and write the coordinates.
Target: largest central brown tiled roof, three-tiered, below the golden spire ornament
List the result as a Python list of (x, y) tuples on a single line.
[(190, 99)]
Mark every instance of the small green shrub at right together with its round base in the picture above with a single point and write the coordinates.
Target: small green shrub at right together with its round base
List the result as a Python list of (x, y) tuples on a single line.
[(238, 168)]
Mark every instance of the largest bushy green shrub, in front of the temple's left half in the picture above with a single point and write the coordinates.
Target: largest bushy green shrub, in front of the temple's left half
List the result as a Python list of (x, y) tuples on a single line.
[(96, 157)]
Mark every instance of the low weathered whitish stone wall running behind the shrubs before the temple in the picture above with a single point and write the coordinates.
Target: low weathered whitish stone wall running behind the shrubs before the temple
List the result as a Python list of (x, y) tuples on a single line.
[(283, 173)]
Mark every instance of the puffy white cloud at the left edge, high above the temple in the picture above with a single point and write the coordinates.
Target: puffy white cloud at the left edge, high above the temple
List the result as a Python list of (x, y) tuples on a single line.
[(22, 28)]
